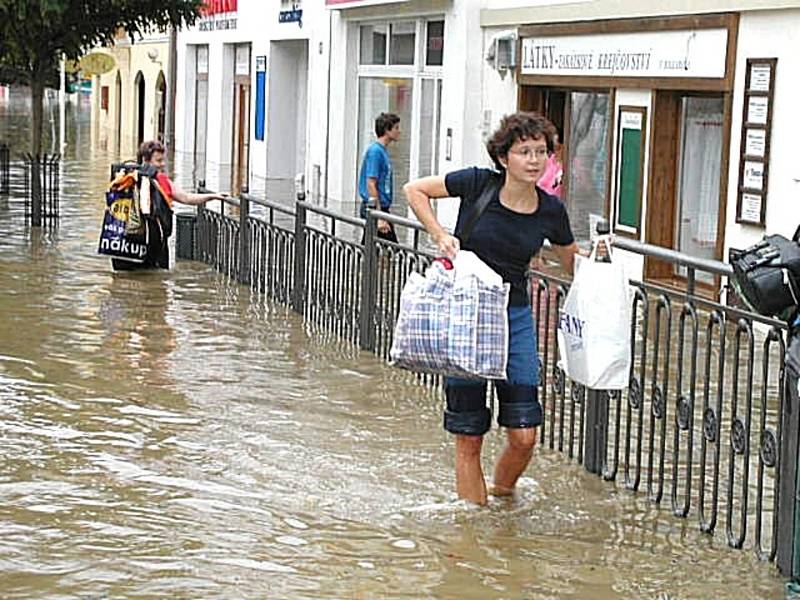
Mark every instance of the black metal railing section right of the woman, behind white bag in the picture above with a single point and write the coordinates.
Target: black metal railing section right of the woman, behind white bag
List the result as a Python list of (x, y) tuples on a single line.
[(700, 424)]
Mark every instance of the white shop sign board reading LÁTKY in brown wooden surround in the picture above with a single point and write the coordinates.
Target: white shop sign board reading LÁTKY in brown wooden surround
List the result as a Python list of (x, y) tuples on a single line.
[(683, 53)]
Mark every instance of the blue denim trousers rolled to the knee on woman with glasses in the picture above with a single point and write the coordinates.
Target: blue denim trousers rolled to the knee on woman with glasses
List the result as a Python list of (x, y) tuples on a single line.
[(518, 396)]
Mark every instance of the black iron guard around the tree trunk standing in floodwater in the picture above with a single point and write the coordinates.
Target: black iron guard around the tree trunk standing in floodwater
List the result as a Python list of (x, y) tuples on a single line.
[(42, 188)]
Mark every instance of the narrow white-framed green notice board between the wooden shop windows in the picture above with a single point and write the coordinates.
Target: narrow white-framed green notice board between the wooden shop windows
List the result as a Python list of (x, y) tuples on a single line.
[(631, 135)]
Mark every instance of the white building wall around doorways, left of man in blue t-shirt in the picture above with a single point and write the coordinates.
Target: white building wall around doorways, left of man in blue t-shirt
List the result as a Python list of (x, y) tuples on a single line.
[(257, 24)]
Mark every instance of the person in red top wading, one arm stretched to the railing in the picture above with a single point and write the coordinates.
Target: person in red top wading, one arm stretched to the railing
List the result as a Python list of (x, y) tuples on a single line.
[(161, 194)]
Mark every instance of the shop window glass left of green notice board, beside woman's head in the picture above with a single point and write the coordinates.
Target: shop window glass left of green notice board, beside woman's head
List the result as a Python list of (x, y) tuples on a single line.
[(587, 161)]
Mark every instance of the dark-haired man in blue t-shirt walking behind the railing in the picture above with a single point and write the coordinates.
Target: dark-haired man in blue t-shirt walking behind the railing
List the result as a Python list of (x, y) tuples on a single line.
[(375, 178)]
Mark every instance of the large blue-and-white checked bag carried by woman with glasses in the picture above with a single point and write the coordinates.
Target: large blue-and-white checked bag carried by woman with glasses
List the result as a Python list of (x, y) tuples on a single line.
[(453, 321)]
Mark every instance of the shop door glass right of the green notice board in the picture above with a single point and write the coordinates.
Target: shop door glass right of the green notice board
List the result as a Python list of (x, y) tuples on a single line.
[(699, 179)]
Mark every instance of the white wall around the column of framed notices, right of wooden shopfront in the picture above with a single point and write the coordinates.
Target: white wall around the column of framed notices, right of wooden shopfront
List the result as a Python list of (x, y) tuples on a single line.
[(767, 35)]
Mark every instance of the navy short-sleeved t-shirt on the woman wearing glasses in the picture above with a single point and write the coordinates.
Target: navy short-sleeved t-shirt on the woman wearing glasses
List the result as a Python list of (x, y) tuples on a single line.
[(504, 239)]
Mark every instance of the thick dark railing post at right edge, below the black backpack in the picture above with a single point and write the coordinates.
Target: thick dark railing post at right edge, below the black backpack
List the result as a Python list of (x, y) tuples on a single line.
[(788, 528)]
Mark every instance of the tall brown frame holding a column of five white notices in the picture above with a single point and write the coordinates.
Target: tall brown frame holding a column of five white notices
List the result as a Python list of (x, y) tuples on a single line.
[(759, 89)]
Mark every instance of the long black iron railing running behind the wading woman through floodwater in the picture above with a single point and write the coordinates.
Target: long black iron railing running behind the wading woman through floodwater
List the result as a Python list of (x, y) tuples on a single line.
[(705, 425)]
